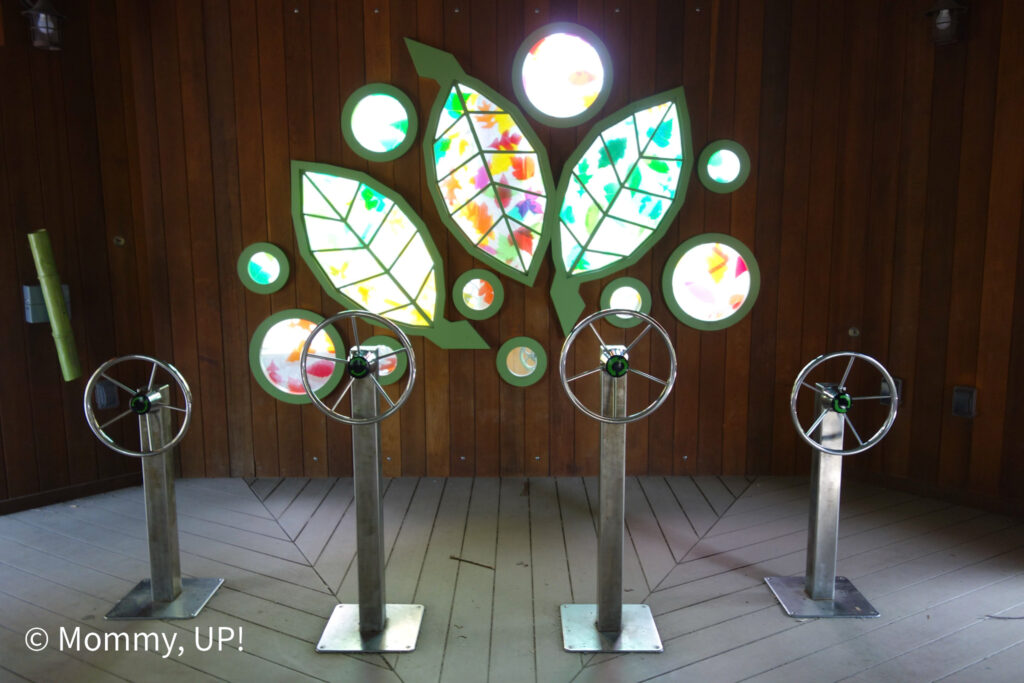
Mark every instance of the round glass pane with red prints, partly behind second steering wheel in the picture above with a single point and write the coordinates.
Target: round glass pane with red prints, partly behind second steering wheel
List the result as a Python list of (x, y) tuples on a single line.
[(280, 352)]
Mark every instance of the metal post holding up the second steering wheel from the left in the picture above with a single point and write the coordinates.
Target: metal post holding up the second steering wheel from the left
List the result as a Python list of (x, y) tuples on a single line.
[(369, 515)]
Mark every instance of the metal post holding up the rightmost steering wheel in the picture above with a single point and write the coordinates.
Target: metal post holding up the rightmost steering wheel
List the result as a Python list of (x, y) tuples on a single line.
[(823, 532)]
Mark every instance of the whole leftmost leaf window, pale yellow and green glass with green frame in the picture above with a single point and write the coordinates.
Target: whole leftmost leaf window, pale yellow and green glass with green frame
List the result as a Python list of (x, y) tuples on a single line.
[(370, 250)]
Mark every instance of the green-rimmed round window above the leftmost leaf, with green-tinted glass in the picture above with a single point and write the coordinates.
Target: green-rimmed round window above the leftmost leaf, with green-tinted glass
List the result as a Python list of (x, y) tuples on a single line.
[(379, 122)]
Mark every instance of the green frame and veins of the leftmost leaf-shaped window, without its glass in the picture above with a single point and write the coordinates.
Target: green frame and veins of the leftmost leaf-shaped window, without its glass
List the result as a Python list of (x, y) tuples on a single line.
[(444, 333)]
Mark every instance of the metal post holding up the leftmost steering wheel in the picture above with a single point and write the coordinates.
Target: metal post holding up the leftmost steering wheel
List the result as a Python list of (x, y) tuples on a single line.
[(161, 517)]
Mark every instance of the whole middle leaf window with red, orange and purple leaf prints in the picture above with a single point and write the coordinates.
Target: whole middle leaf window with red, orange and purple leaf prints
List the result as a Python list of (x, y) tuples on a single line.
[(488, 172)]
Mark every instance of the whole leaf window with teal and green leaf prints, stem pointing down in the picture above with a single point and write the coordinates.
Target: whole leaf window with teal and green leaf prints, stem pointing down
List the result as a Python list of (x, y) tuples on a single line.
[(618, 195)]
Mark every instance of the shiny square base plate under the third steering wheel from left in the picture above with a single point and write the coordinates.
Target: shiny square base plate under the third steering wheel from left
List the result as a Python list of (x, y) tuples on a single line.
[(580, 632)]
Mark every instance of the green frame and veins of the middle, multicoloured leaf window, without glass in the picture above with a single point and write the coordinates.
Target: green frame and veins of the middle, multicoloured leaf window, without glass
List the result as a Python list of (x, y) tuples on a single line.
[(445, 69)]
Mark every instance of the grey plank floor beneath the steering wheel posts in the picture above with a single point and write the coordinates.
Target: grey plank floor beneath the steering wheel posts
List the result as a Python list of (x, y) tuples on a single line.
[(492, 561)]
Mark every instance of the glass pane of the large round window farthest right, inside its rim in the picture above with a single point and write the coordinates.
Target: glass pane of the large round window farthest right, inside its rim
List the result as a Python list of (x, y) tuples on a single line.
[(711, 282)]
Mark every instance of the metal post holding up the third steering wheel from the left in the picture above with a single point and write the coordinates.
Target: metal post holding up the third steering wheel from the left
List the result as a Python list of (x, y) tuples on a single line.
[(612, 494)]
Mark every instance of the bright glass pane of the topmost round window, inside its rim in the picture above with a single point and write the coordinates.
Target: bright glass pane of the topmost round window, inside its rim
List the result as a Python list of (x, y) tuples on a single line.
[(563, 75)]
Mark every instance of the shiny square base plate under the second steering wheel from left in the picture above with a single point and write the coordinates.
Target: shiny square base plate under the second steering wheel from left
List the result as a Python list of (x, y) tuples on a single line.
[(402, 627)]
